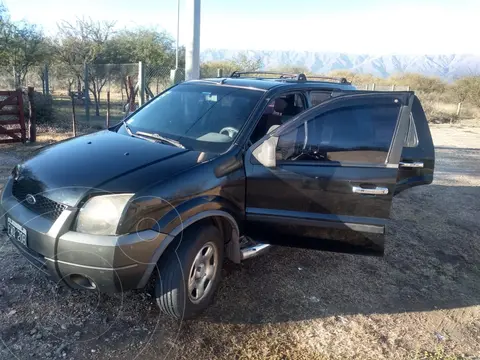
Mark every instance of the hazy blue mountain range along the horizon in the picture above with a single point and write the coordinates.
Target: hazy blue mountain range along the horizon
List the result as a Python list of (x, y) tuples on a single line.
[(445, 66)]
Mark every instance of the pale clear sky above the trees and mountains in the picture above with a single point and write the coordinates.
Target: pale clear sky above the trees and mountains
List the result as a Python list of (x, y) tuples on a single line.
[(374, 27)]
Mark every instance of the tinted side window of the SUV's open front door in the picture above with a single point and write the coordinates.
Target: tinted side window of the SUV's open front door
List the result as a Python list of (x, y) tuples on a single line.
[(353, 135)]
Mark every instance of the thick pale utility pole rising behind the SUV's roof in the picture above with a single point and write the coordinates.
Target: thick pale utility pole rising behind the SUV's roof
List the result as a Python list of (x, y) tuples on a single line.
[(192, 53)]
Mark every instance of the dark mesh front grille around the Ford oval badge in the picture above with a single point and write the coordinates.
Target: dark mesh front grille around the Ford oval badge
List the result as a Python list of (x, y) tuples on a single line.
[(43, 206)]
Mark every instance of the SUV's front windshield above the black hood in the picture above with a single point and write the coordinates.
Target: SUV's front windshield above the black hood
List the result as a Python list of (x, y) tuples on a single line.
[(199, 117)]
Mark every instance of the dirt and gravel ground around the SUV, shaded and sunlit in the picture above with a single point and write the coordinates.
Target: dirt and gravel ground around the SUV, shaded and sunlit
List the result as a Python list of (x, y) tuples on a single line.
[(421, 300)]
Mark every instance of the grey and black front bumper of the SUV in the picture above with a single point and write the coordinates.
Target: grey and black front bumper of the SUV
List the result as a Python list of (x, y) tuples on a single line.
[(111, 263)]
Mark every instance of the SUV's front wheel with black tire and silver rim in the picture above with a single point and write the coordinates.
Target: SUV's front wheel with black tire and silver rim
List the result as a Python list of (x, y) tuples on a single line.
[(176, 269)]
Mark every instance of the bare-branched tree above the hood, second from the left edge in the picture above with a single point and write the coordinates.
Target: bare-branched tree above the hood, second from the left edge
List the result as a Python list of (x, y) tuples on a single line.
[(86, 43)]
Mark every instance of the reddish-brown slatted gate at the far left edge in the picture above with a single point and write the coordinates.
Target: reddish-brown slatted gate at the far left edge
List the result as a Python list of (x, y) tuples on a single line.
[(12, 118)]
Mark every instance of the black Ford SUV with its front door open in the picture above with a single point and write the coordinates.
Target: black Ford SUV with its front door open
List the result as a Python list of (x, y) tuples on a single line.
[(218, 168)]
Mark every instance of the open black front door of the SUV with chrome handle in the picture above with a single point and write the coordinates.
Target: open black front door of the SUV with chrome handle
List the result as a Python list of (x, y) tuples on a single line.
[(326, 179)]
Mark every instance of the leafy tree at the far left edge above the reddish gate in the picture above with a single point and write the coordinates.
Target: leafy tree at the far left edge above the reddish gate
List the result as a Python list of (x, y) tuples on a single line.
[(22, 45)]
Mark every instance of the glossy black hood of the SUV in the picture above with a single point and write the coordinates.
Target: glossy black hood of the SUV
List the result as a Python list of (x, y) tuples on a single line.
[(102, 162)]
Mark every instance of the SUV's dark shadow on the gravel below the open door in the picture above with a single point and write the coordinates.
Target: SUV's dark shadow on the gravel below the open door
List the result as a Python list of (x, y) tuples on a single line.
[(431, 262)]
